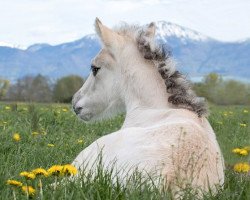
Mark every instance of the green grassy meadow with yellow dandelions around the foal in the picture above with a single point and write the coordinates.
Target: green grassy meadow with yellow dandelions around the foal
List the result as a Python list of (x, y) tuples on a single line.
[(52, 134)]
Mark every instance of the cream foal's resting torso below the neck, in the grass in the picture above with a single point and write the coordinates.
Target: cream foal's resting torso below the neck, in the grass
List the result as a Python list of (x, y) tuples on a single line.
[(163, 147)]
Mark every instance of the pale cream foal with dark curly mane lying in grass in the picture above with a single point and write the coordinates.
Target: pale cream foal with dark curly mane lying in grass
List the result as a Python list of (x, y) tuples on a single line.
[(164, 133)]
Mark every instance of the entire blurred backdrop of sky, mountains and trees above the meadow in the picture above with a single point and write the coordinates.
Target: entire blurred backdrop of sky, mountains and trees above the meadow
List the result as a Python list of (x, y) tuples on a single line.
[(46, 46)]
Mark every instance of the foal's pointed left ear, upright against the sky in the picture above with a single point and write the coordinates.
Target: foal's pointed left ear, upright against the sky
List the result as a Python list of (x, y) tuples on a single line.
[(109, 37)]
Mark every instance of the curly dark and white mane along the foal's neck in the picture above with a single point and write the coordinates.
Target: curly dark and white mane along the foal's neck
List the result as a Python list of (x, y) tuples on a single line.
[(179, 88)]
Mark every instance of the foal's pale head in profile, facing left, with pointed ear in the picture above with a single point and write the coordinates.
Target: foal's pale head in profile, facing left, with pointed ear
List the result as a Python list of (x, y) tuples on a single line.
[(101, 93)]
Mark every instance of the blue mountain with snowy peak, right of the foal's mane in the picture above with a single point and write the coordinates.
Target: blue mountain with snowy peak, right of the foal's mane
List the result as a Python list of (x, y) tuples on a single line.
[(197, 54)]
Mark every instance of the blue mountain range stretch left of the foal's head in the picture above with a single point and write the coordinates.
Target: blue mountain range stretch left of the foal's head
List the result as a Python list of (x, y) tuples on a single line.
[(52, 61)]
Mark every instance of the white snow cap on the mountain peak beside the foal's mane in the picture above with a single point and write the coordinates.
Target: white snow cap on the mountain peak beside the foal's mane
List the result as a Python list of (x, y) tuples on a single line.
[(166, 29)]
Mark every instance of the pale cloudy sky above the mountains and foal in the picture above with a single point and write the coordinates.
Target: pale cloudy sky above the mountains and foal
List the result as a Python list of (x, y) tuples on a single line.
[(25, 22)]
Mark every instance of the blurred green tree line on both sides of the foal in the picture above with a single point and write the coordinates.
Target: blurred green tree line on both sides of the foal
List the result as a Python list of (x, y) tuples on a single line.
[(41, 89)]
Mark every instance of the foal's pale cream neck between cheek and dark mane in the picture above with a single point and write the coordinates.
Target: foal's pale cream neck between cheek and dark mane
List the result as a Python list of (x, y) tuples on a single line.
[(145, 97)]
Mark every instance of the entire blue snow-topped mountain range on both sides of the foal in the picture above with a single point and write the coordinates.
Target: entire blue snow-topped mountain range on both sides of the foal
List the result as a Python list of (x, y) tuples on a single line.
[(195, 53)]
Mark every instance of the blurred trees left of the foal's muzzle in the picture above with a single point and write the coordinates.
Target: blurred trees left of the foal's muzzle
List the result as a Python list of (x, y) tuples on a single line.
[(40, 89)]
